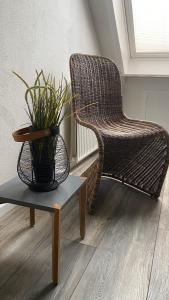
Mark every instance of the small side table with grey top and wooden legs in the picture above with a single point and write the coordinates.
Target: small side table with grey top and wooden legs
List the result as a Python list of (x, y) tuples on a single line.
[(16, 192)]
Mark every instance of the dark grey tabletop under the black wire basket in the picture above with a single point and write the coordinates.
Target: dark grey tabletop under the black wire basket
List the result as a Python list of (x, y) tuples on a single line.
[(16, 192)]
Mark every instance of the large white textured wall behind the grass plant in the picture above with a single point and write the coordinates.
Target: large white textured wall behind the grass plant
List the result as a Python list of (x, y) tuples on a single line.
[(34, 35)]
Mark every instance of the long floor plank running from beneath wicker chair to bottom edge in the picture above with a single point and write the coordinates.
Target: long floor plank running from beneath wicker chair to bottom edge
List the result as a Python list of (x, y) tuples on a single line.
[(121, 266)]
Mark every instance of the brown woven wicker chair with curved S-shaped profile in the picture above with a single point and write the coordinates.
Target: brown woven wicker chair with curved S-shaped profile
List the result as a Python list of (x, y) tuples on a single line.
[(132, 151)]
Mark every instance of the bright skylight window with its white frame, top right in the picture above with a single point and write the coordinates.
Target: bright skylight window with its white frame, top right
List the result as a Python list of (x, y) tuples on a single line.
[(148, 26)]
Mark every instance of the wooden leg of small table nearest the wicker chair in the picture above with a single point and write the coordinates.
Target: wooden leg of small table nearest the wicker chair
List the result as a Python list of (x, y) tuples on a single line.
[(82, 208)]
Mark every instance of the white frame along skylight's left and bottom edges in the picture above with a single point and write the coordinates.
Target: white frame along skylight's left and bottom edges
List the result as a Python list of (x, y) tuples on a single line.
[(131, 36)]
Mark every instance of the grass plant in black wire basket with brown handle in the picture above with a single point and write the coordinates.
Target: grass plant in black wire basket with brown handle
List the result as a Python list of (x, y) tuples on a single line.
[(43, 160)]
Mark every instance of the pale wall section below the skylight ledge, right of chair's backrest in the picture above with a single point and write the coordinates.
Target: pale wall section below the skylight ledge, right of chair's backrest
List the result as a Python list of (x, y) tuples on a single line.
[(147, 98)]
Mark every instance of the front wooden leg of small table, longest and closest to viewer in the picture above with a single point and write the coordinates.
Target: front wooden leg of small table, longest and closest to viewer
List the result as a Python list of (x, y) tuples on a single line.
[(56, 244)]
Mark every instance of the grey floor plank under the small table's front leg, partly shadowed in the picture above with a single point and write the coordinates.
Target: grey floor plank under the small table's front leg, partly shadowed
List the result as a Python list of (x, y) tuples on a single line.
[(37, 283)]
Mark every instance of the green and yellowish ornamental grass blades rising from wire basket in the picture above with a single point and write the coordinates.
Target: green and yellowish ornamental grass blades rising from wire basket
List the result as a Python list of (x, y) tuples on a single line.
[(46, 101)]
